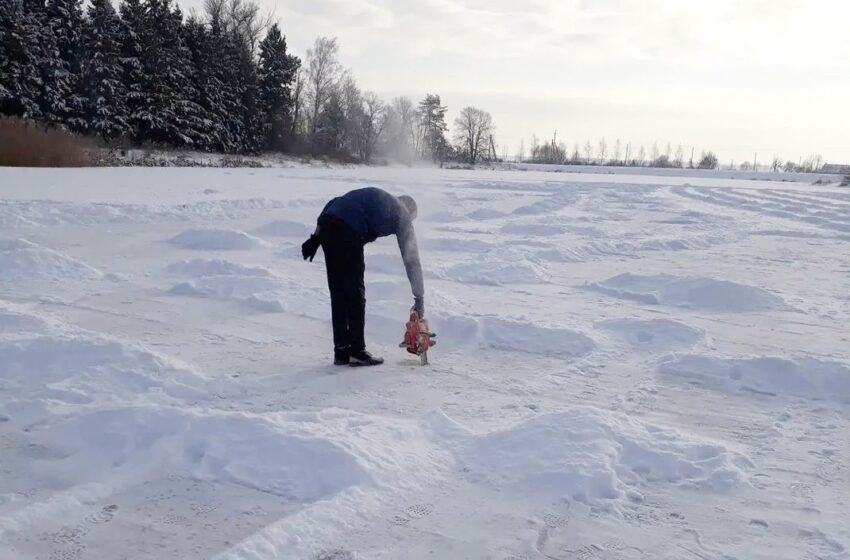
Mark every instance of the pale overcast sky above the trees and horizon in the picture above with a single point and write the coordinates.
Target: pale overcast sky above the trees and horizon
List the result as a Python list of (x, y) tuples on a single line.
[(735, 76)]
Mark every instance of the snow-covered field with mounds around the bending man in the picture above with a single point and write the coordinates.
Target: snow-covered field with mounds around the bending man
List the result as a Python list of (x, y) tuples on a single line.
[(629, 367)]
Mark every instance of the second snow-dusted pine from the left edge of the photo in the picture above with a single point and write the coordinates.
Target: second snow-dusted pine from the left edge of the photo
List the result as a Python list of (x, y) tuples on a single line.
[(63, 100)]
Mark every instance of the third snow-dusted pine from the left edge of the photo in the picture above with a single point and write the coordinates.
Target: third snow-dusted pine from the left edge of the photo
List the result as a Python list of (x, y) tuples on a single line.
[(105, 106)]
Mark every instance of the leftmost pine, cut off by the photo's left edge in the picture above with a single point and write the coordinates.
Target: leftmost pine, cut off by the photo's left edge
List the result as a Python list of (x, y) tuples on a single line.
[(20, 57)]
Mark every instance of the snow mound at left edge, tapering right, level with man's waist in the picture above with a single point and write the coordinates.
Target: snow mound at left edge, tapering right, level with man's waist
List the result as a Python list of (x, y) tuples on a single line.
[(23, 262)]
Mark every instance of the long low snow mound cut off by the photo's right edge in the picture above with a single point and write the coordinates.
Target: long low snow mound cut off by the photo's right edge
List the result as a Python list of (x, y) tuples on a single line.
[(804, 377)]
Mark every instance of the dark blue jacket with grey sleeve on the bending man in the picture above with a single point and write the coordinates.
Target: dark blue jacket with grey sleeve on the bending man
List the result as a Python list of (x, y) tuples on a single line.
[(374, 213)]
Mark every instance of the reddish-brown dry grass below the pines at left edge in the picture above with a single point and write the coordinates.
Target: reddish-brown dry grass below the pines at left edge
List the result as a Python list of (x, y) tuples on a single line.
[(27, 144)]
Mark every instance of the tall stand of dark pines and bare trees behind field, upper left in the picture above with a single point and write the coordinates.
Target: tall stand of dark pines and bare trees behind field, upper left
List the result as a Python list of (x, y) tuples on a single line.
[(223, 81)]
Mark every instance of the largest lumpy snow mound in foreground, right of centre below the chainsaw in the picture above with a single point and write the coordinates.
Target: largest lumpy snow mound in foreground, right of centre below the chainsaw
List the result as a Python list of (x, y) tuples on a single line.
[(595, 458)]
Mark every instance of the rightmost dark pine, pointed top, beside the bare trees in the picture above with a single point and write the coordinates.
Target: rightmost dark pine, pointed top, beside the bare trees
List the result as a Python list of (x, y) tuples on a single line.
[(276, 75)]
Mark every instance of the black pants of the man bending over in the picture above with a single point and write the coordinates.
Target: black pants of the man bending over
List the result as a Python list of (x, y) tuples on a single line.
[(343, 250)]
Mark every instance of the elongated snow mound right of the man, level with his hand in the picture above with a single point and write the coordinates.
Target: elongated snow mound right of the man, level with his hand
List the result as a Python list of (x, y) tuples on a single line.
[(690, 292)]
